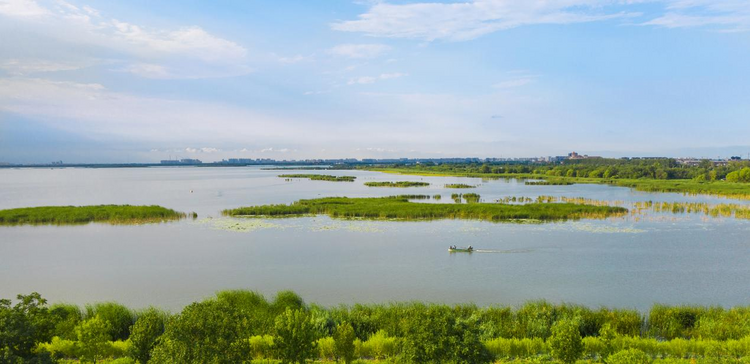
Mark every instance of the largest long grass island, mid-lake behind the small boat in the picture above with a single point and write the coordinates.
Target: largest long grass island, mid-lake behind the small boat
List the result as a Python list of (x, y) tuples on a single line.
[(400, 208)]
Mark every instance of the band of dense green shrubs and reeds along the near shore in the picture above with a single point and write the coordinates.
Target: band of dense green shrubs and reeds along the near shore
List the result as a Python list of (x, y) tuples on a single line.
[(244, 327)]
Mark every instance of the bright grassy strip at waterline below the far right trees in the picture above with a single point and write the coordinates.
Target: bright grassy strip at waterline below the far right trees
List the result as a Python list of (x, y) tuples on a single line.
[(685, 186)]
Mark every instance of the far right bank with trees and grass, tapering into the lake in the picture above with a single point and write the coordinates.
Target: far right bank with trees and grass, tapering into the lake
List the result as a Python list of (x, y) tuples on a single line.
[(650, 175)]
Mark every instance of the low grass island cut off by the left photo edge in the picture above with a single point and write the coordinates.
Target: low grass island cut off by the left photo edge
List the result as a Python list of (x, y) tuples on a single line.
[(69, 215)]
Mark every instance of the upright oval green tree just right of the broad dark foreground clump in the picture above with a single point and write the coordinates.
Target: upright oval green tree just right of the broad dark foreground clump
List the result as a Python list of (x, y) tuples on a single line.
[(295, 337)]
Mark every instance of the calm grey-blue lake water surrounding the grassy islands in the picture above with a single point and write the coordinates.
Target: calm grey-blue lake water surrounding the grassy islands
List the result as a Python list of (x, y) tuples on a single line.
[(622, 262)]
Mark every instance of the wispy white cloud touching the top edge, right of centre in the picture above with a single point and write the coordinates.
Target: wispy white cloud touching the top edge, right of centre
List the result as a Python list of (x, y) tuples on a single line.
[(468, 20)]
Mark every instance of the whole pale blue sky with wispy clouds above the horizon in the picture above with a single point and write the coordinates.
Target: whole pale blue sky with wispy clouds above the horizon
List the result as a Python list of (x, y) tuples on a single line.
[(141, 80)]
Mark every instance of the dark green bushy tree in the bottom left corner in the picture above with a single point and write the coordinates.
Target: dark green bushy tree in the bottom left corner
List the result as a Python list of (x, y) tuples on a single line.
[(23, 325)]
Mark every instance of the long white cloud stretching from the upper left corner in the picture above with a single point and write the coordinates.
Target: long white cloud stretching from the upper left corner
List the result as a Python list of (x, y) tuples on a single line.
[(185, 52)]
